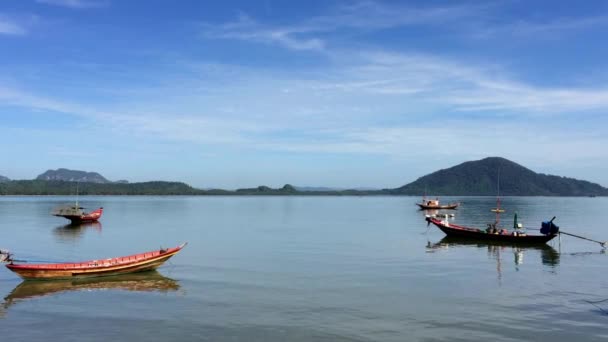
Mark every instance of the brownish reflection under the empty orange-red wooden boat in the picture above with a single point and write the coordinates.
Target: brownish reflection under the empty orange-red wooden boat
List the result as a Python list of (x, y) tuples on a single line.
[(150, 281)]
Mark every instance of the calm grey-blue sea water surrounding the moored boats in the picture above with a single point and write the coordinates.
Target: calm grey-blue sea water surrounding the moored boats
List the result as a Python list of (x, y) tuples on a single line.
[(306, 269)]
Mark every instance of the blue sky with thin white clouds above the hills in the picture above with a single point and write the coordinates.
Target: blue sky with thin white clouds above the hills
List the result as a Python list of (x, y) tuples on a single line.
[(232, 94)]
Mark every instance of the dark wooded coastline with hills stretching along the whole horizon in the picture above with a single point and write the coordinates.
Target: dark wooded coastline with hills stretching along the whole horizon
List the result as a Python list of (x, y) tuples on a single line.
[(472, 178)]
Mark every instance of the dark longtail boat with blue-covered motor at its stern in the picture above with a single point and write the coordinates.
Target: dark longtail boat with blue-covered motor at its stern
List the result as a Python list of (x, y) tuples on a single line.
[(549, 229)]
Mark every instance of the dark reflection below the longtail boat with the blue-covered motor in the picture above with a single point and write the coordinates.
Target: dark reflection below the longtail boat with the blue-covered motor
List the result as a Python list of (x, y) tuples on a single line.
[(496, 251)]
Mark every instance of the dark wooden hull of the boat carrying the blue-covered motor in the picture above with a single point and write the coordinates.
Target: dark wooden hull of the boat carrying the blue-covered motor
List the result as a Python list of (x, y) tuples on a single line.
[(457, 231)]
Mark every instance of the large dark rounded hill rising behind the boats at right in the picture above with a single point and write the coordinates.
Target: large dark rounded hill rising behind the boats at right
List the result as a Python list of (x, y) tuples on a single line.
[(481, 178)]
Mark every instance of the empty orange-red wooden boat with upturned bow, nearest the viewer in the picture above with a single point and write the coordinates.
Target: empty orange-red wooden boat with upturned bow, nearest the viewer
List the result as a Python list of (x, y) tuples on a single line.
[(96, 268)]
